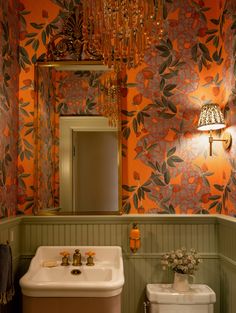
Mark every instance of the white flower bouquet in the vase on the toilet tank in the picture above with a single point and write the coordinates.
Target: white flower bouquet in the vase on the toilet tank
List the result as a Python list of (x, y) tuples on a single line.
[(181, 261)]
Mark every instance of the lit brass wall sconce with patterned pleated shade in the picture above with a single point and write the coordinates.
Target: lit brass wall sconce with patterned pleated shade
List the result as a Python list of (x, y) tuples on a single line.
[(211, 118)]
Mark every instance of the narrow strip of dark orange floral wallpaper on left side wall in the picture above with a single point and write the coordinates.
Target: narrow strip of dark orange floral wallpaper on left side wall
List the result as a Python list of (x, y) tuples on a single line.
[(9, 81)]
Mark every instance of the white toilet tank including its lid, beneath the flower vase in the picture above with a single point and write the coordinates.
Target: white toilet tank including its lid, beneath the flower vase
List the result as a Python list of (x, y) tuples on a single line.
[(164, 299)]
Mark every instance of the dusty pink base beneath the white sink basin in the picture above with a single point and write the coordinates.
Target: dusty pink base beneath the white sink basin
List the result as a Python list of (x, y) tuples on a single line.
[(62, 305)]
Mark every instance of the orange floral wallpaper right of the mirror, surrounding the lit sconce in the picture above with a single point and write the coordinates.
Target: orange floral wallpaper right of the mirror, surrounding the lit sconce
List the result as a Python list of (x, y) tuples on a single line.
[(167, 162)]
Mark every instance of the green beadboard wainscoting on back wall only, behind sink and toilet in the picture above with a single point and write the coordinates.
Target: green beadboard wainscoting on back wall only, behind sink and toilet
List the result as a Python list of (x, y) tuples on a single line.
[(158, 234)]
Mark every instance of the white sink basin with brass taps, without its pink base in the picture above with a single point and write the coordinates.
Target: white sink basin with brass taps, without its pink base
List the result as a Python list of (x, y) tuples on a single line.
[(104, 279)]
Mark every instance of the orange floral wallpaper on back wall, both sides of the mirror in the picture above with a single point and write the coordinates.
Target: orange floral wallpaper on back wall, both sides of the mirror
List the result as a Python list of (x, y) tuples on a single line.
[(166, 167)]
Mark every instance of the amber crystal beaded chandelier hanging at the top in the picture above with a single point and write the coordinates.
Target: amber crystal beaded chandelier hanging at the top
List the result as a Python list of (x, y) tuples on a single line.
[(122, 30)]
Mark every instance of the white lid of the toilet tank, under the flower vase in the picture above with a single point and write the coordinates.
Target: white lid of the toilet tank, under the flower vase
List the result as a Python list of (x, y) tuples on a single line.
[(164, 293)]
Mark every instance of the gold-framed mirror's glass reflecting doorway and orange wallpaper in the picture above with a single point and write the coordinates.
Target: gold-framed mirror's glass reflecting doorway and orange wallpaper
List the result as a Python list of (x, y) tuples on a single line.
[(77, 165)]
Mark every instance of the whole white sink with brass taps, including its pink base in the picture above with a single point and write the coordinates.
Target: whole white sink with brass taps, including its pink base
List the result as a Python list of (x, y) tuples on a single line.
[(101, 282)]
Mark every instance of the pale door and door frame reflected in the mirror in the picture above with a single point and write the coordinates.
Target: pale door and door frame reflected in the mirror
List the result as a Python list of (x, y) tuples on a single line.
[(89, 165)]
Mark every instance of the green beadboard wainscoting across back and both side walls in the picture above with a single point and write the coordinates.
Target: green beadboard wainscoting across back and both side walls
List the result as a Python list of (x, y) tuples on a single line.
[(213, 236)]
